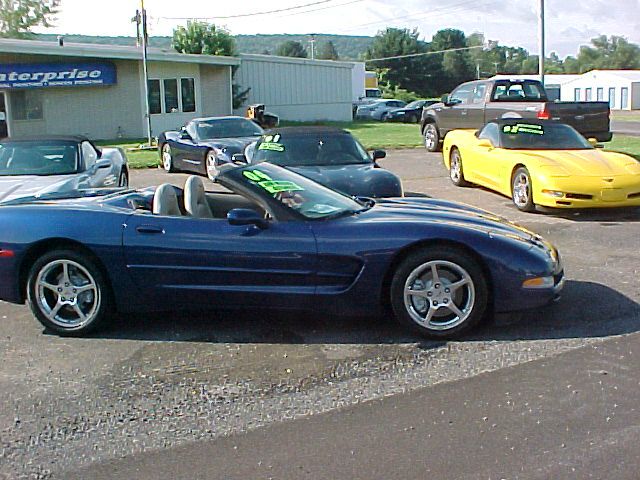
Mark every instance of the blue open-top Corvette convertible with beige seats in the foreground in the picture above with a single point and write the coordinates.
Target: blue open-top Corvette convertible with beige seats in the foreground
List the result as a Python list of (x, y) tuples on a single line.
[(277, 240)]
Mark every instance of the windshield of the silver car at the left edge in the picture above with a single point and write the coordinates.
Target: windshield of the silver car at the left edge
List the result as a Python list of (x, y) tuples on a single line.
[(38, 158)]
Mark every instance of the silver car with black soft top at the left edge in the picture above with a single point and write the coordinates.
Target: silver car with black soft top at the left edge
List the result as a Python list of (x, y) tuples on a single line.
[(37, 166)]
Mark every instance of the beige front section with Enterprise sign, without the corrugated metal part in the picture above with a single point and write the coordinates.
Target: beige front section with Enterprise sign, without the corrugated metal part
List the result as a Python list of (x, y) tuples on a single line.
[(47, 88)]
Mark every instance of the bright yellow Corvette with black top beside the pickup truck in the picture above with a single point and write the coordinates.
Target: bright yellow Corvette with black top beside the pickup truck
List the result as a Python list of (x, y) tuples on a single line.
[(538, 162)]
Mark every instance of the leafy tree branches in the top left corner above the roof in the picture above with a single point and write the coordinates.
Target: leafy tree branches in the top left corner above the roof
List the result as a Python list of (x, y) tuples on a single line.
[(18, 17)]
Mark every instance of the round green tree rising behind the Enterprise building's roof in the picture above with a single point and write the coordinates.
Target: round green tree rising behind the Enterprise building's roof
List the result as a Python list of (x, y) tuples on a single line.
[(203, 38)]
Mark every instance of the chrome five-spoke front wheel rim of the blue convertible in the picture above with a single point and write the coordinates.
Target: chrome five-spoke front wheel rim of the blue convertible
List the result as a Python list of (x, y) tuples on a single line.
[(439, 295)]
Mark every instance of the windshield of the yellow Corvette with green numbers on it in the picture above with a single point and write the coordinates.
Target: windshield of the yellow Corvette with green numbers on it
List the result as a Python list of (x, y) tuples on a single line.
[(547, 136)]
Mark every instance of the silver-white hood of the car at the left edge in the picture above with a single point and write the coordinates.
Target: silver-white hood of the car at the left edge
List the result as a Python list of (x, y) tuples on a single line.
[(34, 185)]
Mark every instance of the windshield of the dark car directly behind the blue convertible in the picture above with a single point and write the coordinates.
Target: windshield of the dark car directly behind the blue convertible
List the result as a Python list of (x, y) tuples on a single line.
[(309, 149)]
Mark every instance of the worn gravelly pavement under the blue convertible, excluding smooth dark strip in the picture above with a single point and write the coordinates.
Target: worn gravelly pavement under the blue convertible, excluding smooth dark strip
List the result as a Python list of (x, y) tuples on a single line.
[(155, 382)]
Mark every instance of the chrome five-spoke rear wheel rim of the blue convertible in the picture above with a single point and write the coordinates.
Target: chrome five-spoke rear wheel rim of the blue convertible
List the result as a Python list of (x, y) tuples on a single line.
[(67, 294)]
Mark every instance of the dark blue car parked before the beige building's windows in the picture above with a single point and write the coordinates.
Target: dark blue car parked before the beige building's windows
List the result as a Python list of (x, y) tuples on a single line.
[(203, 145)]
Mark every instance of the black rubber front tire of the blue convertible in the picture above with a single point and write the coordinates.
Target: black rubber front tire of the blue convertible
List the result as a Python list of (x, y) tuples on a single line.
[(452, 266)]
